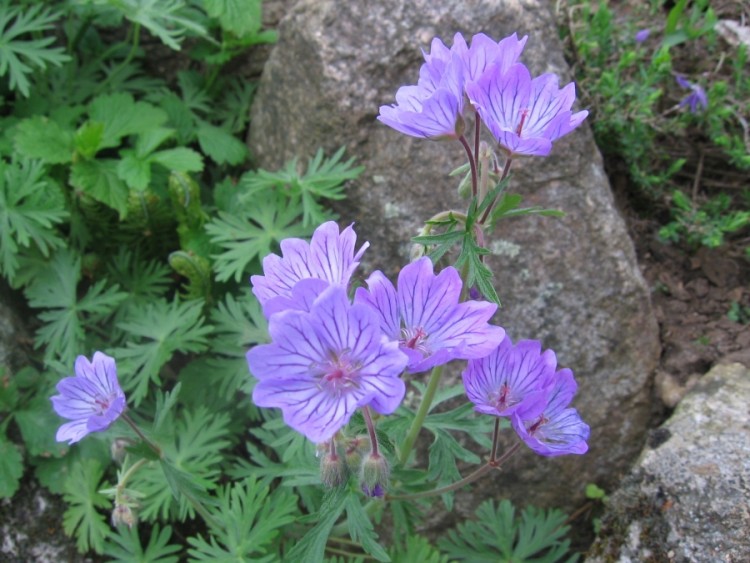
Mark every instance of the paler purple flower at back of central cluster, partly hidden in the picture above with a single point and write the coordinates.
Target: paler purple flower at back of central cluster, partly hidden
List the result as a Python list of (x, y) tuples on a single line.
[(329, 257)]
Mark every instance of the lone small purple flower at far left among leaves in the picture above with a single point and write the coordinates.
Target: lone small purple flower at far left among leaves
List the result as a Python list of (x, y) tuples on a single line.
[(92, 400)]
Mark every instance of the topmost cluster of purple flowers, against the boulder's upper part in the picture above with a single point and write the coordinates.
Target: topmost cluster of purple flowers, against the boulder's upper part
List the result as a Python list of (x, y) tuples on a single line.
[(524, 114)]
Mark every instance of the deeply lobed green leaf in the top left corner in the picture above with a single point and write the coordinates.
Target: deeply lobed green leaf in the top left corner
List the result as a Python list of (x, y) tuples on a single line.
[(23, 46)]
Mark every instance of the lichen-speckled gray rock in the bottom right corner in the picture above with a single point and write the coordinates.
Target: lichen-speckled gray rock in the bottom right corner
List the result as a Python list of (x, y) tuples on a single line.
[(688, 498)]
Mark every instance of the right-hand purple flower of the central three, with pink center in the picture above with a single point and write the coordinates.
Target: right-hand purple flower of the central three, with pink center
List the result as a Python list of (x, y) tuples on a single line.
[(426, 319)]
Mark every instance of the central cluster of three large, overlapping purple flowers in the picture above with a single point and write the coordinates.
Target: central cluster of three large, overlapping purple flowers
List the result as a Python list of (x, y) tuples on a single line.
[(329, 357)]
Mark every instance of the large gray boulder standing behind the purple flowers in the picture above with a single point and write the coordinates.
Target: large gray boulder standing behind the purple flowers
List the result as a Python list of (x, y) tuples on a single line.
[(573, 283)]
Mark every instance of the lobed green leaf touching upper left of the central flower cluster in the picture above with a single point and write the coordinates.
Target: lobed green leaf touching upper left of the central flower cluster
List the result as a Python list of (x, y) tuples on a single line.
[(245, 237)]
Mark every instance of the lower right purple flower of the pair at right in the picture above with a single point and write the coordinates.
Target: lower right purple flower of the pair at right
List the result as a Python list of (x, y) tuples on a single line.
[(557, 430)]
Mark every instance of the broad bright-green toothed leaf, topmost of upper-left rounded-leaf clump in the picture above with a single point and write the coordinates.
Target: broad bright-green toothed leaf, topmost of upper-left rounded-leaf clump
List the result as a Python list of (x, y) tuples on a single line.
[(121, 116)]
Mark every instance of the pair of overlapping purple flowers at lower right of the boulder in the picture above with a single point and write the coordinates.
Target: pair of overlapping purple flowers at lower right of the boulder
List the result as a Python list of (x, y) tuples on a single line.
[(522, 383)]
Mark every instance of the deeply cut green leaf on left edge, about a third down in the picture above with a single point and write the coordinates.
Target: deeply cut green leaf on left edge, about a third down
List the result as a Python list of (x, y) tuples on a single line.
[(30, 207)]
